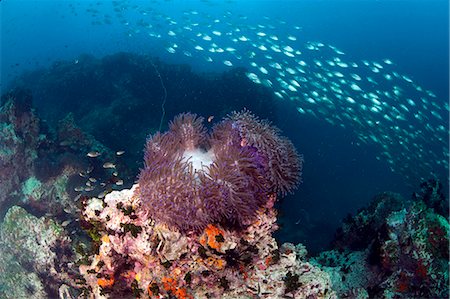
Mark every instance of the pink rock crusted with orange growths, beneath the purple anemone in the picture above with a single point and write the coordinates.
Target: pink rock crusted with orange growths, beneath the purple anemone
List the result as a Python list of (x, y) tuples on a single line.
[(140, 257)]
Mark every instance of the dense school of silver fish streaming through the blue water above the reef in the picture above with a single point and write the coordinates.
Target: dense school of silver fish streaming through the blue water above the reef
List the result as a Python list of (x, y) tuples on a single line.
[(383, 107)]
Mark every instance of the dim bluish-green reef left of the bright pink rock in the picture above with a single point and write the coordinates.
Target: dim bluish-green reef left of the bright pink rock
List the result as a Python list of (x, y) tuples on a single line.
[(40, 168)]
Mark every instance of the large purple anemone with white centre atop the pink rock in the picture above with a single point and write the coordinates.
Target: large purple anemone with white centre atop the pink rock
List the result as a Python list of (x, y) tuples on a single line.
[(192, 179)]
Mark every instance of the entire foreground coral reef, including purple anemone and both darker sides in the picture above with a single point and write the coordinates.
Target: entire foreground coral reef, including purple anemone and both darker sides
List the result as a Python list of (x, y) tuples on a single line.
[(198, 224)]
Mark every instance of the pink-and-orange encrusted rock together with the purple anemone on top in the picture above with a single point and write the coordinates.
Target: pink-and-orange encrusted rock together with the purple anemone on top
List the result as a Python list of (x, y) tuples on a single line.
[(199, 223)]
